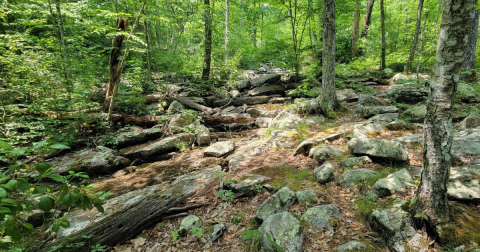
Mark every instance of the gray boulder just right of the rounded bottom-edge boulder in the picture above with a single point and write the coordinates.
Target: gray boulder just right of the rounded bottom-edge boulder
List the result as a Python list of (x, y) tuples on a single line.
[(320, 216)]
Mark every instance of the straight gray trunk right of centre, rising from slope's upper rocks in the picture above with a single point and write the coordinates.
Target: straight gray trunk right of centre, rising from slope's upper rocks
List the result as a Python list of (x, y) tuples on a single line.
[(329, 95)]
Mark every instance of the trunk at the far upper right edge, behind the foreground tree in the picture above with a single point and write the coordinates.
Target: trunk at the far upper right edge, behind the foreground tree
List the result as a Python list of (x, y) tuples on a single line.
[(470, 50)]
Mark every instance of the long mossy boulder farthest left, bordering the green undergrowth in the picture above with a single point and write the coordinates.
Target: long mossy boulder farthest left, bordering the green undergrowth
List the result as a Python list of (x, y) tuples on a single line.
[(98, 161)]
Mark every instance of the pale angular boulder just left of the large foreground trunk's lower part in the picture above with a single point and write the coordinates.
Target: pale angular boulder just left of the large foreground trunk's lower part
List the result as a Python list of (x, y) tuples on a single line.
[(393, 183)]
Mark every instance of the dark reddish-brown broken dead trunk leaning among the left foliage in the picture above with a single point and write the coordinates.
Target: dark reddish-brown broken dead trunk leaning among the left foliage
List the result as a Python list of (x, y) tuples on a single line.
[(114, 60)]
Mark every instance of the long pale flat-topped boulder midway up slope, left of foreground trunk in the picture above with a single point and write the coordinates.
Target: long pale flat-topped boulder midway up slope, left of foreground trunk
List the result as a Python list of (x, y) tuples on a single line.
[(378, 148)]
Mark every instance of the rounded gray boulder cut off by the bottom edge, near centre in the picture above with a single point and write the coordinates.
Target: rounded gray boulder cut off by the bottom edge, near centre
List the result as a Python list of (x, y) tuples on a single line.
[(284, 230)]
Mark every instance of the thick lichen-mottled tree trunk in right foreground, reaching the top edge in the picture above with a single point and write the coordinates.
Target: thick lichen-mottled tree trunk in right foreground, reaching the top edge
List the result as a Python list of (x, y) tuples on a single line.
[(431, 196)]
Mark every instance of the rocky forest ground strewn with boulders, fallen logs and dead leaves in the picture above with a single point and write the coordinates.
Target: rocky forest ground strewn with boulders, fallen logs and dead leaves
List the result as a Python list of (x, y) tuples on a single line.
[(266, 171)]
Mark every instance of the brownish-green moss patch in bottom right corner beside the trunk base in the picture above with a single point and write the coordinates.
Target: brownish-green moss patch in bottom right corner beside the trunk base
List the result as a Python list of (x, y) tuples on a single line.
[(464, 228)]
